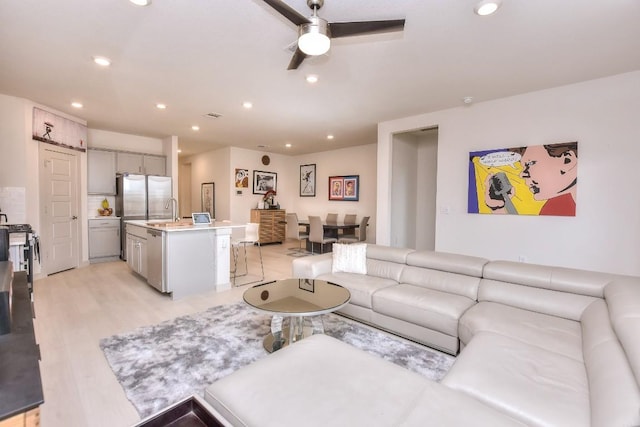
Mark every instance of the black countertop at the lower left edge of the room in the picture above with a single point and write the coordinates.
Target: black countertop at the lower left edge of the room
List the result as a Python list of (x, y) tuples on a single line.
[(20, 382)]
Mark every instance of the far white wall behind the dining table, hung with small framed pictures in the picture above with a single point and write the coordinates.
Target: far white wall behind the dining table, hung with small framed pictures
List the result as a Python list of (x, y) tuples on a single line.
[(219, 166)]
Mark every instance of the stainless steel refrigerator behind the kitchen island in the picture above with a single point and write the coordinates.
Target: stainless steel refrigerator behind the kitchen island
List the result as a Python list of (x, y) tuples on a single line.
[(141, 197)]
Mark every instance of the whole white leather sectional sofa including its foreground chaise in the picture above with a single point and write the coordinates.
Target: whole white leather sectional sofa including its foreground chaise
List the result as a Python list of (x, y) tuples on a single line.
[(539, 346)]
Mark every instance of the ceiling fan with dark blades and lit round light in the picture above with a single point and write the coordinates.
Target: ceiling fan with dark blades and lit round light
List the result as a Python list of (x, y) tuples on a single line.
[(315, 33)]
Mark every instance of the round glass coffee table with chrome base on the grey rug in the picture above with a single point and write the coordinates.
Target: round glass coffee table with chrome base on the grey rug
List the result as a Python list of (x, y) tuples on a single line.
[(295, 300)]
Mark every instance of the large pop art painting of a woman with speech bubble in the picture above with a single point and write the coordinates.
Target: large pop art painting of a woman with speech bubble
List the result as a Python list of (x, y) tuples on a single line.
[(532, 180)]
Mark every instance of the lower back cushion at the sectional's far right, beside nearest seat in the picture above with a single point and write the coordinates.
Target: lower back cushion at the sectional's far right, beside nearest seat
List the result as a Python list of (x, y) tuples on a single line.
[(615, 397)]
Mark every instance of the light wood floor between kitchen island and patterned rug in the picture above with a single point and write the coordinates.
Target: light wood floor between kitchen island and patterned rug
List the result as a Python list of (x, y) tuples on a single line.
[(76, 308)]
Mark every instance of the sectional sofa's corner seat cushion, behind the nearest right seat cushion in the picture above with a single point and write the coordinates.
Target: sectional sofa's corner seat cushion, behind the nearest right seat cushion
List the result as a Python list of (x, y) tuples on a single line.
[(549, 332)]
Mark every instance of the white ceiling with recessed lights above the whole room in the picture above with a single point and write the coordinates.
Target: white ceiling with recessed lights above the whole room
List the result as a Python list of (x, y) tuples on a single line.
[(202, 56)]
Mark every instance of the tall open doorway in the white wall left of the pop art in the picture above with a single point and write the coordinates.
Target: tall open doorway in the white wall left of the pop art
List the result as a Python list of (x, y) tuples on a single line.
[(413, 189)]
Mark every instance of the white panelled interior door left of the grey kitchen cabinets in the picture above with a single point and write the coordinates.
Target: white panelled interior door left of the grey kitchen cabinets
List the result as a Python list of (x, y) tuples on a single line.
[(59, 210)]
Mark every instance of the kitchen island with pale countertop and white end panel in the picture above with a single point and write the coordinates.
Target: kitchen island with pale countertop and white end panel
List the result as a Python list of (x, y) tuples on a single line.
[(180, 258)]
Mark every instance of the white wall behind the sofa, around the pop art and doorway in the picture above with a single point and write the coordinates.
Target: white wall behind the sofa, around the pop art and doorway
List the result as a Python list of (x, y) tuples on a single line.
[(602, 115)]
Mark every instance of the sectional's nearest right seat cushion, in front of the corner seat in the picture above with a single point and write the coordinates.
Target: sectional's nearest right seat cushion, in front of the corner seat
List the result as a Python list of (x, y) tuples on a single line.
[(536, 386)]
